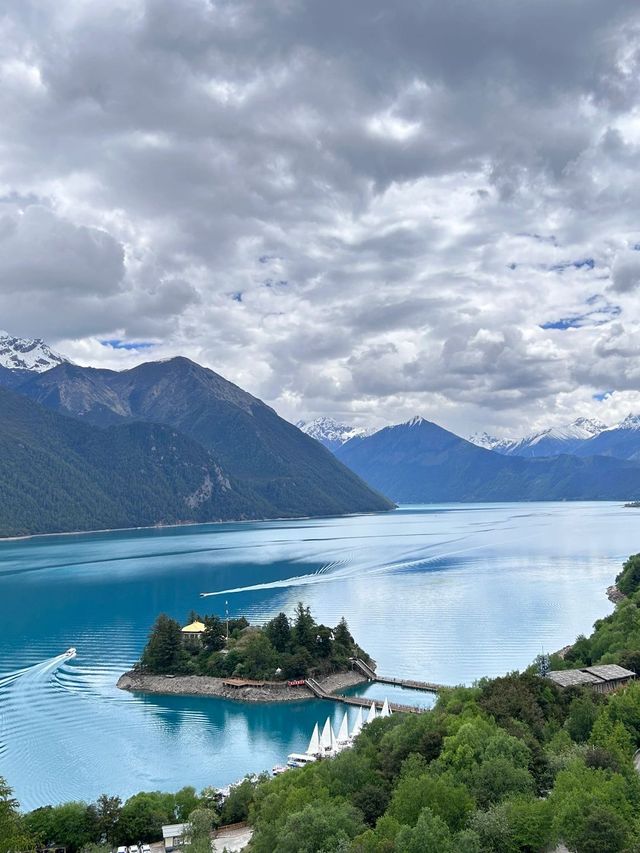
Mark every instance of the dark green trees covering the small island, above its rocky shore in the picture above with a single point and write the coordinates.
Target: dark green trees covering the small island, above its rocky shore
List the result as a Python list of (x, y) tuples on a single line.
[(280, 650)]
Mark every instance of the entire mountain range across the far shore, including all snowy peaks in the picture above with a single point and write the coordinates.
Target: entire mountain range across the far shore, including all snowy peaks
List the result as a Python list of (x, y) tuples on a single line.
[(174, 442)]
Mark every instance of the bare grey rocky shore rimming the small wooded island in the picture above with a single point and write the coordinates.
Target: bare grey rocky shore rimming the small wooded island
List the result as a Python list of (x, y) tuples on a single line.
[(203, 685)]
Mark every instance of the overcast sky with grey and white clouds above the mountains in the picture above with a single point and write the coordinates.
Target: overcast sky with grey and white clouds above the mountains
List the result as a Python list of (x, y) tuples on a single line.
[(360, 209)]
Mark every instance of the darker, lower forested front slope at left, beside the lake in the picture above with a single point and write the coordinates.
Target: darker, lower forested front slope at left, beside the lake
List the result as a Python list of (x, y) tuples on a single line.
[(57, 474)]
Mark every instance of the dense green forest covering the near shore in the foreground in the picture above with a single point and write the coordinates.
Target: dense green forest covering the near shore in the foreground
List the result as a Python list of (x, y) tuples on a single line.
[(510, 764)]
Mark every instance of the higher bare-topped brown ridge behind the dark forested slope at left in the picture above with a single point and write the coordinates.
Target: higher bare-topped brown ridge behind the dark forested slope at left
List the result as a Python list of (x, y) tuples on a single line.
[(289, 473)]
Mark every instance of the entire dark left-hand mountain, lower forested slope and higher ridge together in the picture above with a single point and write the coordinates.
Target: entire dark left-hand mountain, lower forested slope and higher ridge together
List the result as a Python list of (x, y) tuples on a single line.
[(182, 441)]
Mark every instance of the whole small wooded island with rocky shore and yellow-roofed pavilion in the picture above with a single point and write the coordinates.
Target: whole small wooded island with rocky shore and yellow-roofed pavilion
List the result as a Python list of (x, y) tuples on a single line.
[(253, 663)]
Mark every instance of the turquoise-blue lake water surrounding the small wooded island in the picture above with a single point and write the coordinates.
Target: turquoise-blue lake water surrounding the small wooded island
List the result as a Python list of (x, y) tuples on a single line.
[(444, 593)]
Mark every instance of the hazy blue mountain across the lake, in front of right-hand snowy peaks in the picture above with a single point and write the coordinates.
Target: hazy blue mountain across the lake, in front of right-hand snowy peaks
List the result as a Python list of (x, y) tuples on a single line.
[(420, 462)]
